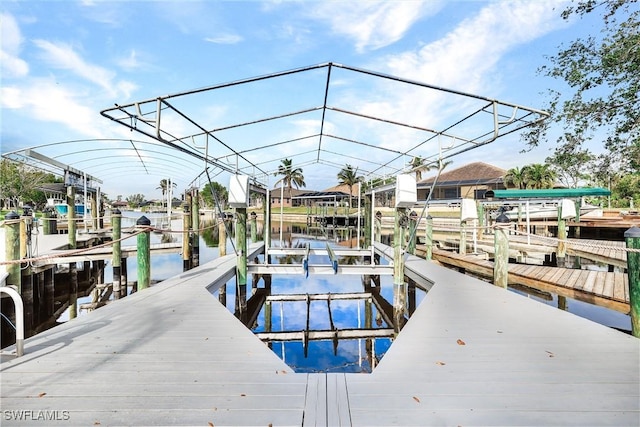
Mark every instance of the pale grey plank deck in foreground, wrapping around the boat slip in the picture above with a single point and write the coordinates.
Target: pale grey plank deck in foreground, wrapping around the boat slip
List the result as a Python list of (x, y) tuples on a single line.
[(472, 354)]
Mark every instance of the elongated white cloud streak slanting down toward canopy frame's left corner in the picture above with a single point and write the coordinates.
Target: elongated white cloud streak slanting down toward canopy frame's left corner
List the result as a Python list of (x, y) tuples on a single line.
[(63, 56)]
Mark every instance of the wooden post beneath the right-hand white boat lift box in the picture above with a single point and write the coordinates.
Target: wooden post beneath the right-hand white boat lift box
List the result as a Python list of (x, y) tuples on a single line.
[(399, 286)]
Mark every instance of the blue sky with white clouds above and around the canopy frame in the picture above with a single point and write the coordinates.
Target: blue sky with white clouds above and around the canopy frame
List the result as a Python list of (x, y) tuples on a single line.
[(65, 61)]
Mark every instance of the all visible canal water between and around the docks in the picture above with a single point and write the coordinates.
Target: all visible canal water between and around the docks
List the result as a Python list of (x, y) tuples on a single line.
[(330, 355)]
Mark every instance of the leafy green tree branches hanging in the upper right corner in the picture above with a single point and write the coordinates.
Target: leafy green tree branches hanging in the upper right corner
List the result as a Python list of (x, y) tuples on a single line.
[(602, 73)]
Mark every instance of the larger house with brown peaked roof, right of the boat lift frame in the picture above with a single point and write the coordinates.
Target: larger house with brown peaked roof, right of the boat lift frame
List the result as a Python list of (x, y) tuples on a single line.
[(470, 181)]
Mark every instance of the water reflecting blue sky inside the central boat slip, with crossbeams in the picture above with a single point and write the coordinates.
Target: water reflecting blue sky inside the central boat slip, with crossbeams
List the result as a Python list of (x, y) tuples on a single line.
[(320, 323)]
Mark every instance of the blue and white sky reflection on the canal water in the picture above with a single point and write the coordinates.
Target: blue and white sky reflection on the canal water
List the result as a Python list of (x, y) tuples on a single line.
[(351, 354)]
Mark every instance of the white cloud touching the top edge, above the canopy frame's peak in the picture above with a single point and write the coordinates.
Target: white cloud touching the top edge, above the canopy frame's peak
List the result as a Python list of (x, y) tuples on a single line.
[(373, 24)]
